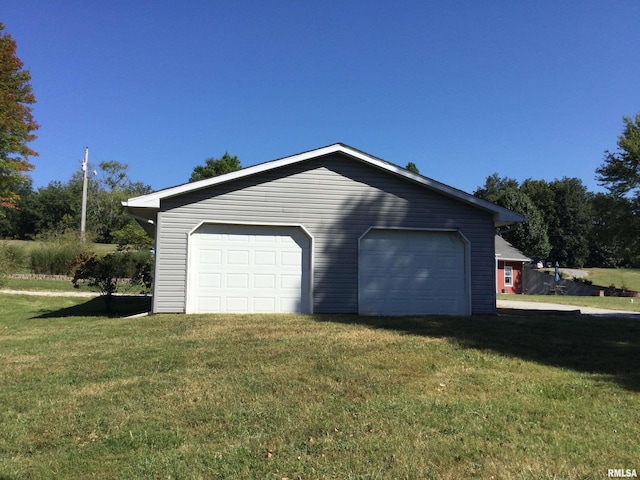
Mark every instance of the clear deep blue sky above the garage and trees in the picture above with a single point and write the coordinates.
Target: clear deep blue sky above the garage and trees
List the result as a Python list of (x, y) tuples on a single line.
[(528, 89)]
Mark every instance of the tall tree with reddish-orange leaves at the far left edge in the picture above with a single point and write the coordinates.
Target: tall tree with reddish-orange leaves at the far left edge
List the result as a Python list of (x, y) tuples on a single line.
[(16, 121)]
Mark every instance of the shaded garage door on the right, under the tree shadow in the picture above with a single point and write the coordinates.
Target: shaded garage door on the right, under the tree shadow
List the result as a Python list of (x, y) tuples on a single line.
[(413, 272)]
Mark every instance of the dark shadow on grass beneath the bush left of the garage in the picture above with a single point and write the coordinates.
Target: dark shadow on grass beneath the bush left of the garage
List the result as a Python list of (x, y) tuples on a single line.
[(121, 306)]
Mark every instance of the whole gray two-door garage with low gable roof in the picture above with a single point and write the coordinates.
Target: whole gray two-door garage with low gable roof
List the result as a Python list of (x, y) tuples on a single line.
[(332, 230)]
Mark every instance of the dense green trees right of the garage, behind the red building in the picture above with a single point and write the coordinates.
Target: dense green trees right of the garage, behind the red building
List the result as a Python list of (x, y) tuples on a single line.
[(567, 223)]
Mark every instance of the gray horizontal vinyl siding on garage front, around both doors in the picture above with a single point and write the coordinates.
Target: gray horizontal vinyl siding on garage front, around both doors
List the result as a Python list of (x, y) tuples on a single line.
[(336, 199)]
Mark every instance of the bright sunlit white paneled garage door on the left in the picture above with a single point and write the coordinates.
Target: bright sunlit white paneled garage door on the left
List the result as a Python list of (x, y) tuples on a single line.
[(248, 269)]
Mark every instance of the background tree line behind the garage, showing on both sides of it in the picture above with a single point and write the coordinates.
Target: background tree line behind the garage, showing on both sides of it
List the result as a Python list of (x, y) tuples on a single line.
[(564, 221)]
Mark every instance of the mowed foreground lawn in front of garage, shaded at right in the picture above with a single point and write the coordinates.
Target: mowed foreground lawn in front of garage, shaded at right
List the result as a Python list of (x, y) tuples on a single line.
[(313, 397)]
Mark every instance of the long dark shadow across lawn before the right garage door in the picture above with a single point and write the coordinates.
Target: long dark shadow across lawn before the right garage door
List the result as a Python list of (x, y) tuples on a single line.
[(605, 346)]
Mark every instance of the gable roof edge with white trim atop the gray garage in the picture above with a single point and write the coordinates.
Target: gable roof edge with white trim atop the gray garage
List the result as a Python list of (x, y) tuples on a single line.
[(140, 206)]
